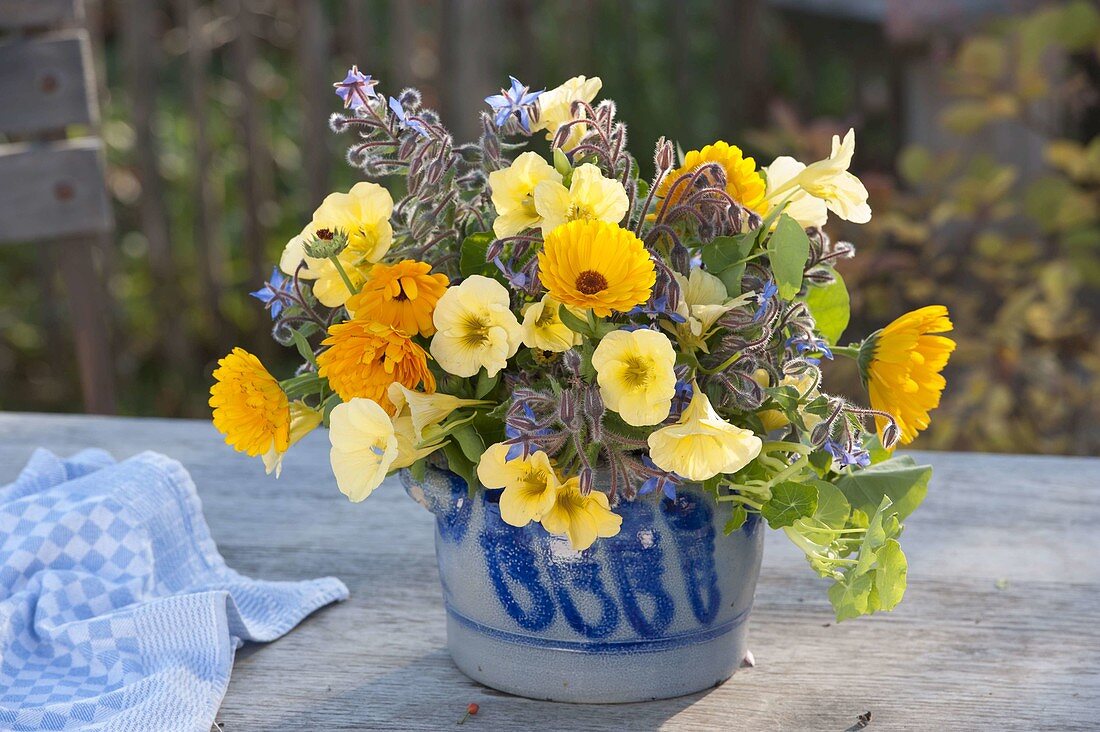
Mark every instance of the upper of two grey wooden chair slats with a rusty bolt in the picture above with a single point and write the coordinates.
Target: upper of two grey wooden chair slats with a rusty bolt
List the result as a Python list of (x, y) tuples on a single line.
[(46, 84)]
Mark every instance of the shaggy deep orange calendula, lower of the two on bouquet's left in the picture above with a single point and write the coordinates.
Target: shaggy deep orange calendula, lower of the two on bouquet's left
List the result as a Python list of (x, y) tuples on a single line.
[(365, 358)]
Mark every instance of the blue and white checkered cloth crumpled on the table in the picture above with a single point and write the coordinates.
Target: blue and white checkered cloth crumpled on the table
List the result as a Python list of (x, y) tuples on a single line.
[(117, 613)]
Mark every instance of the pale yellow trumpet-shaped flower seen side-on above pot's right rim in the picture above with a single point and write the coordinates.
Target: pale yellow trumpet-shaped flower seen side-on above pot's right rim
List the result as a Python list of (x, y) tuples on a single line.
[(702, 445)]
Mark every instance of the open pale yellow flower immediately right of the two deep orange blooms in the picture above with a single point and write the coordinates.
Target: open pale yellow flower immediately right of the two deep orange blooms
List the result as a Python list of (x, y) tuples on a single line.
[(476, 329)]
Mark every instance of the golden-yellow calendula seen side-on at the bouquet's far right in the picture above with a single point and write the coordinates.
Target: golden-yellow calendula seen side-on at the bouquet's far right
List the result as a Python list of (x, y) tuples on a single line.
[(901, 366)]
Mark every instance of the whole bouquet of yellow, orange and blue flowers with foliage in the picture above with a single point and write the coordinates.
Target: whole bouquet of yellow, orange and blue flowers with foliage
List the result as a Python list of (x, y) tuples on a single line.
[(536, 318)]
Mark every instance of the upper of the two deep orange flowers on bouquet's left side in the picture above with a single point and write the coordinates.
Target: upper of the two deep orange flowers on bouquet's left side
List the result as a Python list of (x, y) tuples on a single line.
[(402, 296)]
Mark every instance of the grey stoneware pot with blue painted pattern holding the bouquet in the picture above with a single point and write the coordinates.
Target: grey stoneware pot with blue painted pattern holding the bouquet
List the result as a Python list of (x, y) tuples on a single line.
[(658, 611)]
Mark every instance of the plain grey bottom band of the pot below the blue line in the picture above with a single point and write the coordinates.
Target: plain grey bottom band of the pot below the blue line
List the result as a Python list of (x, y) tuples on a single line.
[(597, 672)]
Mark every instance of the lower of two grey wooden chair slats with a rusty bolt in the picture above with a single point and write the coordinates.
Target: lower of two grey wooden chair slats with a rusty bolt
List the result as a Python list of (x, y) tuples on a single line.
[(53, 191)]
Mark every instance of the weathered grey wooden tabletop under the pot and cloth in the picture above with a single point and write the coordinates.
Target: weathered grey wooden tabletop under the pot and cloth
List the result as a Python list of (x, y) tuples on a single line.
[(1000, 628)]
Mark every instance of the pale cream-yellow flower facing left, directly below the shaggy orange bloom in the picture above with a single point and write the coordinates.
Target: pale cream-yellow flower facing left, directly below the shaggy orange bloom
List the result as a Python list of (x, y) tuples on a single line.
[(365, 447)]
